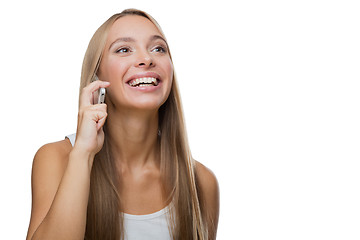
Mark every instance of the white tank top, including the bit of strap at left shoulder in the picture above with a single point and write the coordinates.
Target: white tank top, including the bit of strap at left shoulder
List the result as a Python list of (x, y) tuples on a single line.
[(144, 227)]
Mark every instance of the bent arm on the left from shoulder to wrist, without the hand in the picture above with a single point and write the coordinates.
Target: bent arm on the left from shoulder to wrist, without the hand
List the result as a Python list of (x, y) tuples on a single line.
[(60, 189)]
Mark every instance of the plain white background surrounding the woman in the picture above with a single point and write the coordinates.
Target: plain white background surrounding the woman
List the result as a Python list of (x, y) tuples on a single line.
[(271, 97)]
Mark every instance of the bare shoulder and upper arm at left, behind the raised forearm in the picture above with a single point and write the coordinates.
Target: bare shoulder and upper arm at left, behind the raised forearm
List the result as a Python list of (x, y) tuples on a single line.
[(49, 165)]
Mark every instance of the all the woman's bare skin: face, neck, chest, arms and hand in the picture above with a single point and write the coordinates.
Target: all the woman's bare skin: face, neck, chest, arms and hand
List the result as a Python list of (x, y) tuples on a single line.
[(61, 173)]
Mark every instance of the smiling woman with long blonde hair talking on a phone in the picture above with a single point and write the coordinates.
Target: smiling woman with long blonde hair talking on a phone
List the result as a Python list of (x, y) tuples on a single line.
[(132, 177)]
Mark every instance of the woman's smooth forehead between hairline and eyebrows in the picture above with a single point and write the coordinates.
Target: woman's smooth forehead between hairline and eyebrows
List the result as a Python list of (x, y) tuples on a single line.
[(132, 26)]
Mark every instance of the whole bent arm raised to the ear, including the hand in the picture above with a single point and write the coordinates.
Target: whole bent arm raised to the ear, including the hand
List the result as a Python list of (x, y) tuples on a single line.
[(61, 175)]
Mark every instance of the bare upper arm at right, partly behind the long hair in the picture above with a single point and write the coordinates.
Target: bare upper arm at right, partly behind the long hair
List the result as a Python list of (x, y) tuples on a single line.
[(209, 190)]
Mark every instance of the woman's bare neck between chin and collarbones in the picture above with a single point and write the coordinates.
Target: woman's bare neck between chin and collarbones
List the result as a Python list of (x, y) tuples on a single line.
[(133, 137)]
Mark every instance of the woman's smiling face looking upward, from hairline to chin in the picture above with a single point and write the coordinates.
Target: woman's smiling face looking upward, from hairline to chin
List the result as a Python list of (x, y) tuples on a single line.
[(137, 63)]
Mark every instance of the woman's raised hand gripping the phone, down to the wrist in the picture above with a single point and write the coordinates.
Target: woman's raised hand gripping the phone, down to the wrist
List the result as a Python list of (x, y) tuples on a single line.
[(91, 119)]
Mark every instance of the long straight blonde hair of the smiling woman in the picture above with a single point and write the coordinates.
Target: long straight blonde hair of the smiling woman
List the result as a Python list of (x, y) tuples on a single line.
[(176, 163)]
